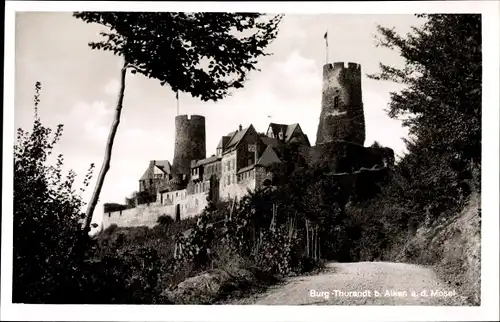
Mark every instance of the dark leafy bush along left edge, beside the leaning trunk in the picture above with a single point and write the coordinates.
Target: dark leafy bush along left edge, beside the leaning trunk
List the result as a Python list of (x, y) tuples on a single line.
[(48, 240)]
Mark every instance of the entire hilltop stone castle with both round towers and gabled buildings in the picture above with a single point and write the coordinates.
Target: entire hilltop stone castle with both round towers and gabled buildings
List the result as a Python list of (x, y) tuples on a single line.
[(242, 159)]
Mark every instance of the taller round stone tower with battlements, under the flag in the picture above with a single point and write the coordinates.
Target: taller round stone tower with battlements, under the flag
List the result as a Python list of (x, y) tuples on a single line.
[(342, 116)]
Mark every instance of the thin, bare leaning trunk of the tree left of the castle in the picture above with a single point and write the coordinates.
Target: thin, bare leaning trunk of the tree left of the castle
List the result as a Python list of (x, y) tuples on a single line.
[(107, 154)]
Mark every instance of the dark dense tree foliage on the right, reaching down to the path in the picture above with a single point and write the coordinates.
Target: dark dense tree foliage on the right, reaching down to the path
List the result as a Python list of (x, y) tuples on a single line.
[(441, 106)]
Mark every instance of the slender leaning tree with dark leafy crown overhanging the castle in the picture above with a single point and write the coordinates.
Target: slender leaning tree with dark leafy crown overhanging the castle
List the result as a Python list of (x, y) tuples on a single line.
[(173, 47)]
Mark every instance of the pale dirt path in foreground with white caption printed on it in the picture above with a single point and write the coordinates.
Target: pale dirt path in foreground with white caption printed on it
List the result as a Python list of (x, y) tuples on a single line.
[(394, 283)]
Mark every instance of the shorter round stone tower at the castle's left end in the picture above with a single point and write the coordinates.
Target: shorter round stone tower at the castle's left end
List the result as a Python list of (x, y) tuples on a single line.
[(189, 142)]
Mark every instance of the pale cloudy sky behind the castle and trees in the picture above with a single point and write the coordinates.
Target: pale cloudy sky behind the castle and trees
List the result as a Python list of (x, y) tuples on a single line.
[(80, 88)]
